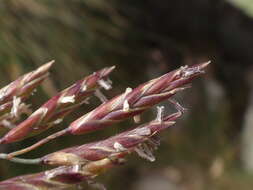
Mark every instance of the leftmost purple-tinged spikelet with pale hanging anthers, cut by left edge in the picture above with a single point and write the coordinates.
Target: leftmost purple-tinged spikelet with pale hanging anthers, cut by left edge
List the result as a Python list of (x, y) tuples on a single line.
[(13, 95)]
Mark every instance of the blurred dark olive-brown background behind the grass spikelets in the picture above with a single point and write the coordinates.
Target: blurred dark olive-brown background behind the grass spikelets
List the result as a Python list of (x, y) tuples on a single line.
[(211, 147)]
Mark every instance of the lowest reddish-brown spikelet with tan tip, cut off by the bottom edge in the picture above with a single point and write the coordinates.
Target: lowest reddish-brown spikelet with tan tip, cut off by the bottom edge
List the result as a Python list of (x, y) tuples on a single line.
[(63, 177)]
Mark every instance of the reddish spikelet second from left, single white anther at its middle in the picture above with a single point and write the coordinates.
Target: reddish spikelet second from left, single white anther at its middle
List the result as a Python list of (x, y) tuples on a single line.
[(54, 110)]
